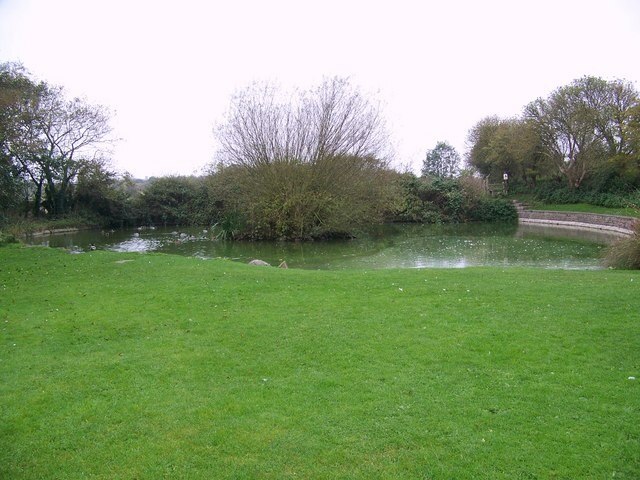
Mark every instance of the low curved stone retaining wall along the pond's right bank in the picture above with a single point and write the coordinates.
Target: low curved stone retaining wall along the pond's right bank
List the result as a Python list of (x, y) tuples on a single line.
[(613, 223)]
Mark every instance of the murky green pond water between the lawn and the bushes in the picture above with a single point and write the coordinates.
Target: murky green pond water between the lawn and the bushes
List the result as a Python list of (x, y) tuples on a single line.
[(390, 246)]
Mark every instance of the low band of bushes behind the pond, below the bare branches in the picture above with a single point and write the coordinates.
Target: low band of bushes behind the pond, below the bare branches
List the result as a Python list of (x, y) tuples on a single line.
[(292, 200)]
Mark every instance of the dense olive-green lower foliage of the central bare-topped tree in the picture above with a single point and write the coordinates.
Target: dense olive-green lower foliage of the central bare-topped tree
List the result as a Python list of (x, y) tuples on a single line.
[(295, 200)]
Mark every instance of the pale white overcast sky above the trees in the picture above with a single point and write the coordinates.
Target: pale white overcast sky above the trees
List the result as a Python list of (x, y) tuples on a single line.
[(167, 69)]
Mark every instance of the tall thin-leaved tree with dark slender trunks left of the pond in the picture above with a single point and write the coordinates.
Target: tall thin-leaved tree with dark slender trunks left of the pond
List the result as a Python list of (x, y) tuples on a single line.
[(48, 138)]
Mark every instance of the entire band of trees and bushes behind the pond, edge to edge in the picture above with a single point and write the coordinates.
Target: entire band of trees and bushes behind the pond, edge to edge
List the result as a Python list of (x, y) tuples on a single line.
[(313, 164)]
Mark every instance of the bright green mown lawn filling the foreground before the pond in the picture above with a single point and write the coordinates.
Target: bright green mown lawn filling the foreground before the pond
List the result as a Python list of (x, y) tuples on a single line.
[(149, 366)]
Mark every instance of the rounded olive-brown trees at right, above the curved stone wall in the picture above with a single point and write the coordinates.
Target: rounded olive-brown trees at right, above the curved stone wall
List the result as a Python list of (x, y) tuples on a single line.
[(582, 142)]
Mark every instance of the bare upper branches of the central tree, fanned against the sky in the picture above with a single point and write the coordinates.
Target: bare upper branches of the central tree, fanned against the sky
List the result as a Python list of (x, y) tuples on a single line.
[(334, 120)]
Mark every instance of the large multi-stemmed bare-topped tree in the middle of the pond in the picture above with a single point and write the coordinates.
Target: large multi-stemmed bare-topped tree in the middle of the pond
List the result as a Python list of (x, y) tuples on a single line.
[(314, 162)]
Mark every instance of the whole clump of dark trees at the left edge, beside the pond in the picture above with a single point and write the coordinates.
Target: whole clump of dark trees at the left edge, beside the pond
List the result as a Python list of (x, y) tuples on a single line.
[(47, 142)]
